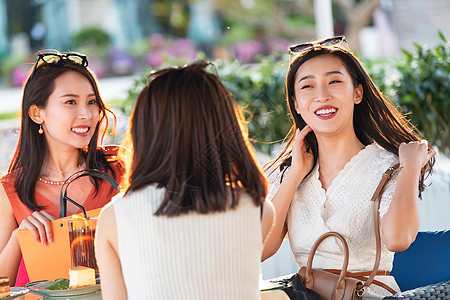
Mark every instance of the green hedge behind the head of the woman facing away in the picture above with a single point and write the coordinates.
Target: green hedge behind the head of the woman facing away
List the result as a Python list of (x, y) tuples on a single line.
[(258, 89)]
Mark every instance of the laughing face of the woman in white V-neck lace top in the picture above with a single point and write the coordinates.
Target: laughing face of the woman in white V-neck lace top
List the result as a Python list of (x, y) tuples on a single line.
[(325, 95)]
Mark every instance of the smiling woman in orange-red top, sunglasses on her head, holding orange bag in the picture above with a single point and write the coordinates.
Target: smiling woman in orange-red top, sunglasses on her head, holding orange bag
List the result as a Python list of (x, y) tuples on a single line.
[(62, 119)]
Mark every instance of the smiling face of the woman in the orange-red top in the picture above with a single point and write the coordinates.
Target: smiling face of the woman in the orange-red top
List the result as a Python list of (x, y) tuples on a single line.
[(71, 114)]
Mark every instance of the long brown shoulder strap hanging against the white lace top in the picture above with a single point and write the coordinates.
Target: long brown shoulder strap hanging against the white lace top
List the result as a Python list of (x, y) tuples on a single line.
[(376, 220)]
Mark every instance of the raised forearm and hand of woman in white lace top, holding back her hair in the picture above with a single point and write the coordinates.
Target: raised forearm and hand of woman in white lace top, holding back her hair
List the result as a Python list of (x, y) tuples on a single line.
[(400, 224)]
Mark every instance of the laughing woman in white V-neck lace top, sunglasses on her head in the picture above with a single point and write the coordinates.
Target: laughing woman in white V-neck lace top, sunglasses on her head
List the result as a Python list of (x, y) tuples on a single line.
[(346, 136)]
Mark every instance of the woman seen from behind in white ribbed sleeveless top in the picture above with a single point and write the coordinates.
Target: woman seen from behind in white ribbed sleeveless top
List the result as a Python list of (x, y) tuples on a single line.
[(189, 225)]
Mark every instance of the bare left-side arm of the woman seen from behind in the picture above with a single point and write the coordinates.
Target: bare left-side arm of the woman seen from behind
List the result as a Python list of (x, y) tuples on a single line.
[(106, 252)]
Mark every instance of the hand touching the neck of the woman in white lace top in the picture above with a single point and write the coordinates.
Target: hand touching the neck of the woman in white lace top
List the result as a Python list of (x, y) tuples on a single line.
[(302, 157)]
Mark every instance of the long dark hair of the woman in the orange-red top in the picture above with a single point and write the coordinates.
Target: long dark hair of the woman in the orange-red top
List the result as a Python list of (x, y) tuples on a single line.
[(32, 147)]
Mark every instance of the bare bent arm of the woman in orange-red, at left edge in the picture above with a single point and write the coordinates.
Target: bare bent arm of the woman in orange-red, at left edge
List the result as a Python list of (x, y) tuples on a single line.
[(10, 254)]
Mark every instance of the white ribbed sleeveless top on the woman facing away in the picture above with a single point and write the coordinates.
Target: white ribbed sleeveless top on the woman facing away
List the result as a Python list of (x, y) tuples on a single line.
[(193, 256)]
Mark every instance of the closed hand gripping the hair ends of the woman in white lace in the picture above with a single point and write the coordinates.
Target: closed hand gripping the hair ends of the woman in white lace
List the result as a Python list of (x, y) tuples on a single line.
[(415, 154)]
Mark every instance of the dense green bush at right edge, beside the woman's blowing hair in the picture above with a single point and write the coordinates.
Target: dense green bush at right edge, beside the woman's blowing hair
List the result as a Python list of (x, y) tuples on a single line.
[(423, 88)]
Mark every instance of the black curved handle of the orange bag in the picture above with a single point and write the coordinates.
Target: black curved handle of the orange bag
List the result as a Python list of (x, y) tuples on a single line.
[(63, 198)]
